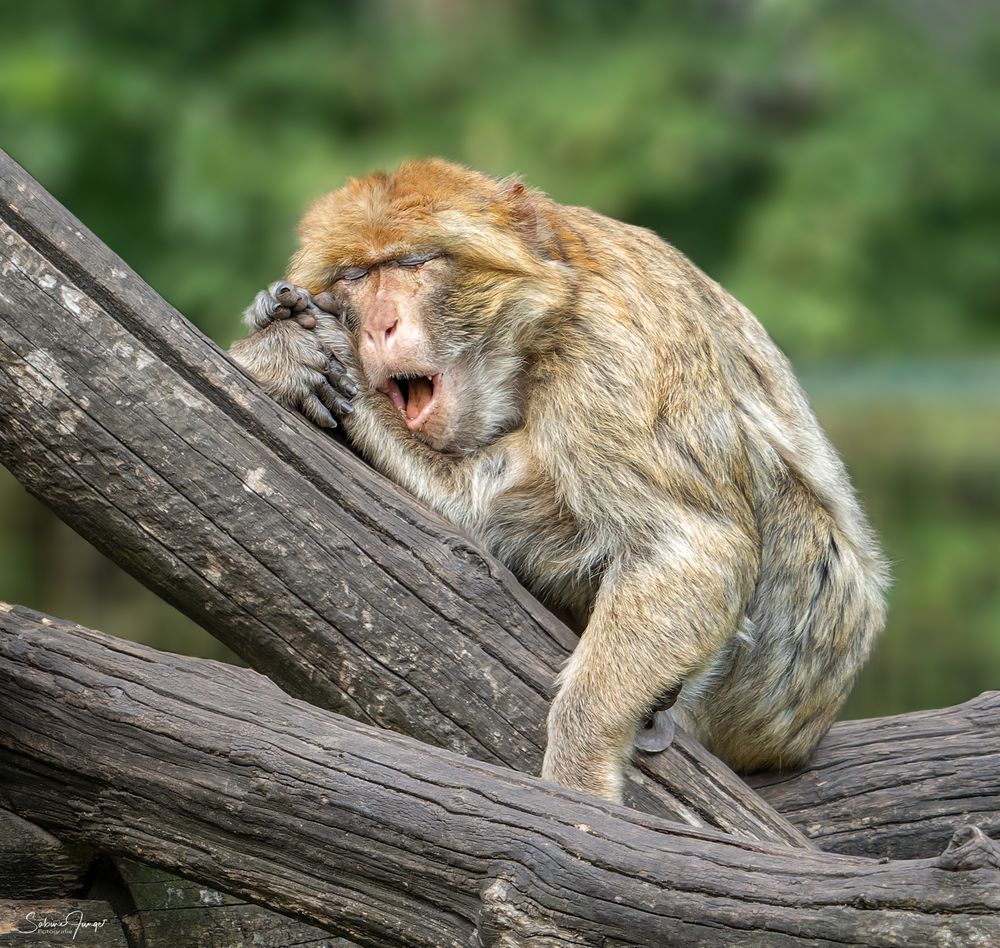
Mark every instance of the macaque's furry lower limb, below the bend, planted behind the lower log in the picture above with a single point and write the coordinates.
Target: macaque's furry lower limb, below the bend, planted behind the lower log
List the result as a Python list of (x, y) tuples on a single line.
[(652, 627)]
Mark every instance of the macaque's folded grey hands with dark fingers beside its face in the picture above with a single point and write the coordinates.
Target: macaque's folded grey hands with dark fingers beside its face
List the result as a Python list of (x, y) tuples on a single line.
[(299, 352)]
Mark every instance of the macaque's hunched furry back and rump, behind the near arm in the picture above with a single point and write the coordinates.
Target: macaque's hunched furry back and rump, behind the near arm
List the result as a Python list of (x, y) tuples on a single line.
[(772, 691)]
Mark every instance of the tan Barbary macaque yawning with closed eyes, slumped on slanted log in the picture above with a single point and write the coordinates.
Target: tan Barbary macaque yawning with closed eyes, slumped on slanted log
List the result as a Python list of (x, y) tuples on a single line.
[(612, 425)]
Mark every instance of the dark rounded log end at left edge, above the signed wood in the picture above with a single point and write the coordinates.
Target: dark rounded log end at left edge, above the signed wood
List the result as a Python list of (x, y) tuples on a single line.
[(34, 864)]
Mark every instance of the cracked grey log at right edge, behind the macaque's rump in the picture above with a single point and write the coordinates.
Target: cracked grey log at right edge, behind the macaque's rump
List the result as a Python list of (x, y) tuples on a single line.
[(897, 786)]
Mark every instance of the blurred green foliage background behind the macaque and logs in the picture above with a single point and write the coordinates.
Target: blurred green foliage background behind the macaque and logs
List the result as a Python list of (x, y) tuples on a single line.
[(835, 164)]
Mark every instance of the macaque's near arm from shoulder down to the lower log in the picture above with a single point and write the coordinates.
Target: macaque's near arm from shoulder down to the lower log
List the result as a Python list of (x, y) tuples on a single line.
[(662, 488)]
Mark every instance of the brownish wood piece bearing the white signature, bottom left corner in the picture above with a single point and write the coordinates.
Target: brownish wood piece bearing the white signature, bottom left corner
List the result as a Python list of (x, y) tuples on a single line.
[(41, 923)]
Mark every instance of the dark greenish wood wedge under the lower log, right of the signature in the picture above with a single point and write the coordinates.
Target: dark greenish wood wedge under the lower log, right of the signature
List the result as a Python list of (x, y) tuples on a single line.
[(170, 912)]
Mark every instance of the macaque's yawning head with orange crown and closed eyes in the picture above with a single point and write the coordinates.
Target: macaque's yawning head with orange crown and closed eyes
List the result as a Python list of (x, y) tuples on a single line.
[(437, 284)]
